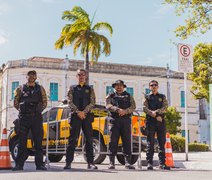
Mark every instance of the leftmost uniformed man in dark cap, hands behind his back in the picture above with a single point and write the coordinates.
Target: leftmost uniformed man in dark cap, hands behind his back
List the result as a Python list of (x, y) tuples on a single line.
[(30, 100)]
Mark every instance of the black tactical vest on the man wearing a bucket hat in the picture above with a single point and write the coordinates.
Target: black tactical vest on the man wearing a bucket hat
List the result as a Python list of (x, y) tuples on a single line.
[(122, 101)]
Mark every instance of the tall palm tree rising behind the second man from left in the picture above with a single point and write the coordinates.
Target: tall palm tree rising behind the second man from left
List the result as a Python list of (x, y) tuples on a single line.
[(81, 34)]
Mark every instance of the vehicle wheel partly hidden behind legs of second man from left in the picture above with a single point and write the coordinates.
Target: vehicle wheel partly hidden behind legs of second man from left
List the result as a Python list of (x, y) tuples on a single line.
[(98, 158)]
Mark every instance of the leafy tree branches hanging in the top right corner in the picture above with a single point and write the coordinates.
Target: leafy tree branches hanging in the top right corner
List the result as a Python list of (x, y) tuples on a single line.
[(199, 17)]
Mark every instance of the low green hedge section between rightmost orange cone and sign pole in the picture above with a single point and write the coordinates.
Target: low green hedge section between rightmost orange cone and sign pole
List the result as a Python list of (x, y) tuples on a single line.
[(178, 143)]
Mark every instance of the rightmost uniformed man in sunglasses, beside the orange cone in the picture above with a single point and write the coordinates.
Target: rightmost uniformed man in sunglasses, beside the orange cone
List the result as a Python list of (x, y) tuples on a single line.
[(155, 106)]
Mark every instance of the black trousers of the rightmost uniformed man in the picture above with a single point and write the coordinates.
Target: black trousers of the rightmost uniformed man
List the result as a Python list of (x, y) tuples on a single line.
[(158, 128)]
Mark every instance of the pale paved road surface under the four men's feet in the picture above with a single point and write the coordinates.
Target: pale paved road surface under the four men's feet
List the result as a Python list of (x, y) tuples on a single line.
[(198, 167)]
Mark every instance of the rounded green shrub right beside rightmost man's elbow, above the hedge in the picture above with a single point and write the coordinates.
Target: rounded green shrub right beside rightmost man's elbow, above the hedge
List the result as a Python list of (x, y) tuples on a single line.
[(172, 118)]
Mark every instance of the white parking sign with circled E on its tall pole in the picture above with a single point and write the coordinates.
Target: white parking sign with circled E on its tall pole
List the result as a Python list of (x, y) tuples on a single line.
[(185, 65)]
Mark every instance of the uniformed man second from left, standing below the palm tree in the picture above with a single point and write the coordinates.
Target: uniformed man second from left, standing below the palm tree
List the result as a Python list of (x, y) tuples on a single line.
[(81, 99)]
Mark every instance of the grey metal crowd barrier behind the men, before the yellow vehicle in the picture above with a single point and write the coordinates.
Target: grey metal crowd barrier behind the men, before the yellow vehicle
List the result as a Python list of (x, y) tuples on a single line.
[(103, 129)]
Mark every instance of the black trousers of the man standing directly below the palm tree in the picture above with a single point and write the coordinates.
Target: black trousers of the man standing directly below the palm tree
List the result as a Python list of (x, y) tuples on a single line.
[(76, 125)]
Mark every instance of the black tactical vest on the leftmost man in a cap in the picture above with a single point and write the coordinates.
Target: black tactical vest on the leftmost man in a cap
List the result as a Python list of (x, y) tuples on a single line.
[(29, 98)]
